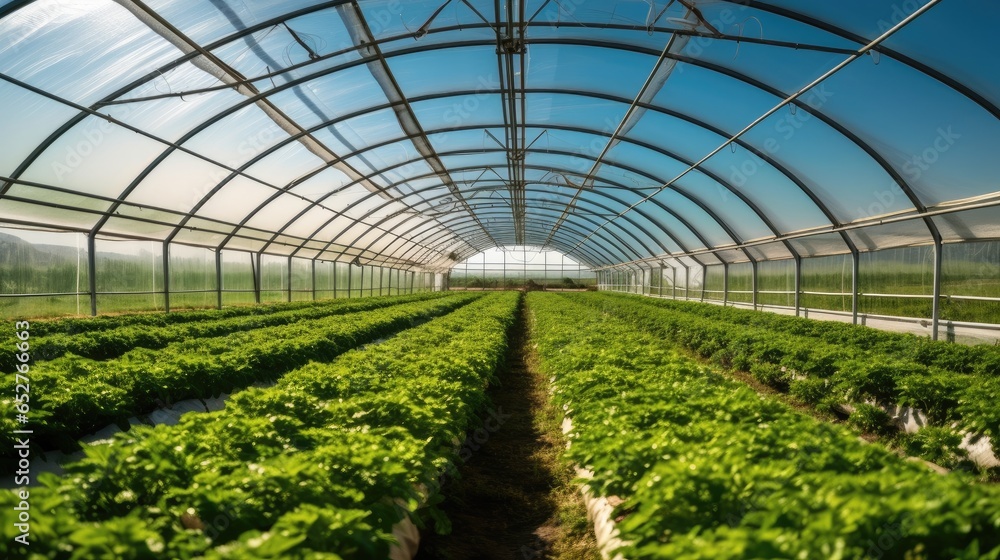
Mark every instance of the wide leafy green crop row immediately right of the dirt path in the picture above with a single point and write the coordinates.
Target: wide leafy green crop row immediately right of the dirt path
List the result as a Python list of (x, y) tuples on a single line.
[(709, 468)]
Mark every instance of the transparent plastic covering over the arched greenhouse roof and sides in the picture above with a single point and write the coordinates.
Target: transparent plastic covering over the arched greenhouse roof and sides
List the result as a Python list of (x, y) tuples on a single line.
[(414, 135)]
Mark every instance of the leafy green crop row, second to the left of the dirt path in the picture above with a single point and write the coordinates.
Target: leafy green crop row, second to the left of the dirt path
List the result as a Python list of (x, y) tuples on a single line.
[(73, 396)]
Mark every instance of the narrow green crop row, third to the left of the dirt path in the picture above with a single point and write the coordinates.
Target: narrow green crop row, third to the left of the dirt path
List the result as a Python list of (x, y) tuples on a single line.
[(113, 342)]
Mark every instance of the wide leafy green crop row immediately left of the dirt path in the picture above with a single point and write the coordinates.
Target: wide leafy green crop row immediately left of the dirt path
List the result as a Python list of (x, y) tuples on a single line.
[(322, 465)]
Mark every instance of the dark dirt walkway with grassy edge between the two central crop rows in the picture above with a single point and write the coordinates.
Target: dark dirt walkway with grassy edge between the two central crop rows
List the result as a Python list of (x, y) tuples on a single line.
[(514, 500)]
